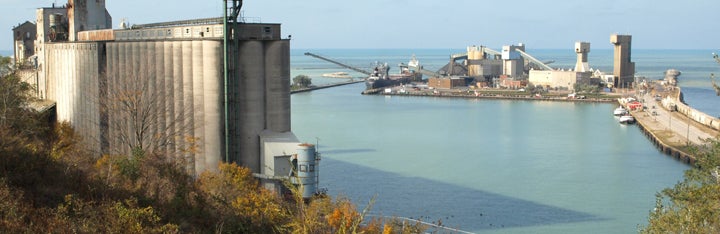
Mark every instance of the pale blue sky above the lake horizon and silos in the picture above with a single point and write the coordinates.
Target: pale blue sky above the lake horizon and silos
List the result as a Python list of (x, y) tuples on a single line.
[(449, 24)]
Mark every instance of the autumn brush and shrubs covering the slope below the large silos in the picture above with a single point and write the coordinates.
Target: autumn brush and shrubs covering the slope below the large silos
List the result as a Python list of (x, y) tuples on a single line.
[(50, 184)]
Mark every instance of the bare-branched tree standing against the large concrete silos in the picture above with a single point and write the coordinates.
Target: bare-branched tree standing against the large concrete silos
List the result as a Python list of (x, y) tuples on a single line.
[(141, 113)]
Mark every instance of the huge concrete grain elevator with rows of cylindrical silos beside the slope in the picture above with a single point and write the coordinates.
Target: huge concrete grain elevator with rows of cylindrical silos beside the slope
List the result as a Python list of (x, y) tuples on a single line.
[(205, 91)]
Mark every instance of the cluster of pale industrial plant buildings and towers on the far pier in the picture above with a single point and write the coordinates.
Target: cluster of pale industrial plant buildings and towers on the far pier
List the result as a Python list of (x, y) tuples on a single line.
[(513, 68)]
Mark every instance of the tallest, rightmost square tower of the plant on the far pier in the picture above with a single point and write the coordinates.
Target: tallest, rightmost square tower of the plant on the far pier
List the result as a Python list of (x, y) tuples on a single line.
[(624, 68)]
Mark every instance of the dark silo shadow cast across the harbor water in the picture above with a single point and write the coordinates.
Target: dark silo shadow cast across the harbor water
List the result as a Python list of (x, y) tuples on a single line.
[(430, 201)]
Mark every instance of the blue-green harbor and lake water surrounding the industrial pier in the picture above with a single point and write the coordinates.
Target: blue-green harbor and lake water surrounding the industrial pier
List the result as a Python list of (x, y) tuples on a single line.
[(491, 166)]
